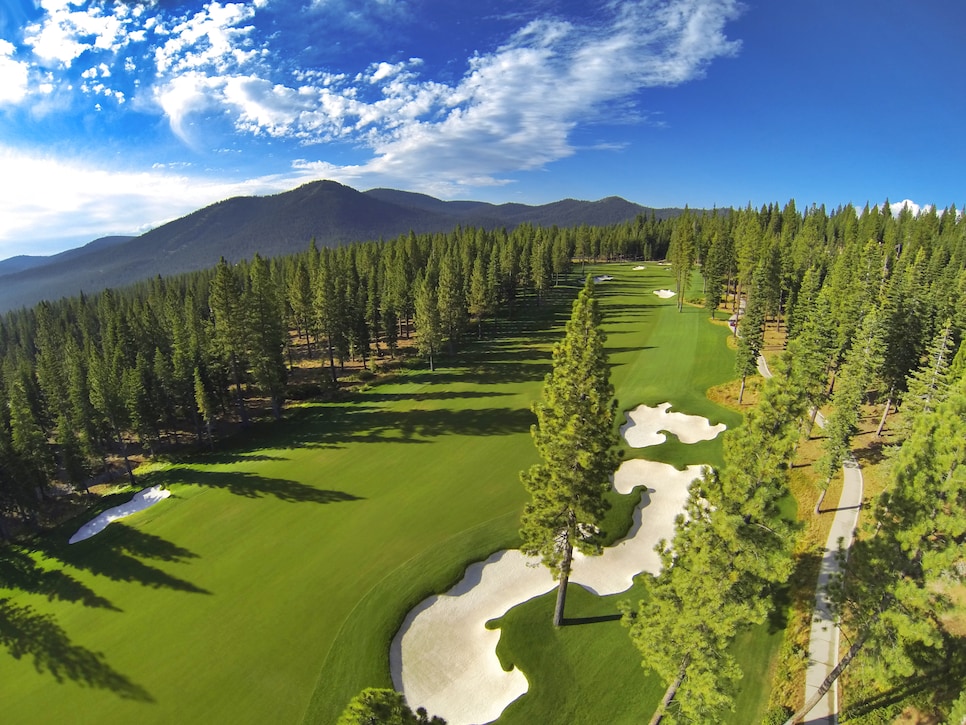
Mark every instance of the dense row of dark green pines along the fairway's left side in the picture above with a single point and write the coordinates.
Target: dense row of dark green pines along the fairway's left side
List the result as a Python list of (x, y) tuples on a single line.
[(96, 377)]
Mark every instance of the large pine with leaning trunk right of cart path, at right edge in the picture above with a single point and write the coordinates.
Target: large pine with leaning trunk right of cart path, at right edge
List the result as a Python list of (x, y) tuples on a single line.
[(893, 596)]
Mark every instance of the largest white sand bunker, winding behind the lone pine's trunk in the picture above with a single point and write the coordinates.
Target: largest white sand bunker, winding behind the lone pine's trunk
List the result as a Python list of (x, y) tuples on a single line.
[(444, 659)]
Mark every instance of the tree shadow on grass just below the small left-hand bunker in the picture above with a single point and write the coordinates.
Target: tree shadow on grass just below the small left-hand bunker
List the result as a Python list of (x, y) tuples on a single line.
[(117, 553)]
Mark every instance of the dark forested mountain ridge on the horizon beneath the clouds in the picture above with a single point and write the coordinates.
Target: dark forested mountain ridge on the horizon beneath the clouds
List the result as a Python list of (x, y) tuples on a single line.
[(237, 228)]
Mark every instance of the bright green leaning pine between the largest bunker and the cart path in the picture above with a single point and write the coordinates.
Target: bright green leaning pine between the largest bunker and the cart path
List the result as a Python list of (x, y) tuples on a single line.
[(729, 549)]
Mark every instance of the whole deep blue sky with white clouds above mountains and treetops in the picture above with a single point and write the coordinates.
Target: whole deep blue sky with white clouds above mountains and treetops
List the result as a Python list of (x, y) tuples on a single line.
[(116, 116)]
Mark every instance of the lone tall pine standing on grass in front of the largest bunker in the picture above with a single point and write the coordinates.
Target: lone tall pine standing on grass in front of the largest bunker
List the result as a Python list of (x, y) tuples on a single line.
[(575, 438)]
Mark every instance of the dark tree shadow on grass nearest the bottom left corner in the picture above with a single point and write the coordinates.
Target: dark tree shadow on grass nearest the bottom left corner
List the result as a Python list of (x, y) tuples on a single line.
[(26, 633)]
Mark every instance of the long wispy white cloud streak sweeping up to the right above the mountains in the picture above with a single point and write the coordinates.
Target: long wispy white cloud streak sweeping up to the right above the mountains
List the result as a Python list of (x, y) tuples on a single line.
[(516, 107)]
